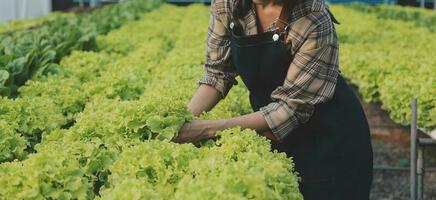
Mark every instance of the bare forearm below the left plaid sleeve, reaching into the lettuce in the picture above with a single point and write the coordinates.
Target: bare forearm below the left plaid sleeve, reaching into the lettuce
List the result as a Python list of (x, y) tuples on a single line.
[(204, 99)]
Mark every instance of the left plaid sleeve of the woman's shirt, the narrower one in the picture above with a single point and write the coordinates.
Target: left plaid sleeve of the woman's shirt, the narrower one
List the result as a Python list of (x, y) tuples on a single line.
[(219, 71)]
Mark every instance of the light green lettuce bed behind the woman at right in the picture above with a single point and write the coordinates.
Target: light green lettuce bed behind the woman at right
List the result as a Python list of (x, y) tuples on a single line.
[(390, 60)]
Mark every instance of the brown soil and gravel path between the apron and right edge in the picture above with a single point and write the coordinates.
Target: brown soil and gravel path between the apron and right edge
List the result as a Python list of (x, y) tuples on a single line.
[(391, 146)]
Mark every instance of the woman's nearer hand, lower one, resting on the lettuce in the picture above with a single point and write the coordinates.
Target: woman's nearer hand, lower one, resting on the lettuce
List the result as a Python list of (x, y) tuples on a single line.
[(197, 130)]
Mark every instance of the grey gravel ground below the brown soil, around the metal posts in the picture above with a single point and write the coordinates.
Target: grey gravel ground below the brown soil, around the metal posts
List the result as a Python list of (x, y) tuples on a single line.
[(394, 184)]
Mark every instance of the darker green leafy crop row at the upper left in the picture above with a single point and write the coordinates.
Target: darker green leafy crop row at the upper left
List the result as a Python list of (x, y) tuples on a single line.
[(32, 53)]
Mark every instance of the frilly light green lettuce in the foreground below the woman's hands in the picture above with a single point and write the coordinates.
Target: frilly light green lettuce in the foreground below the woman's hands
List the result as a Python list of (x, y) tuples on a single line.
[(239, 165)]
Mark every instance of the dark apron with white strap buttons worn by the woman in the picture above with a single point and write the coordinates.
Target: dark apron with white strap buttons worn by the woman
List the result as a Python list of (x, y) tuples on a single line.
[(332, 151)]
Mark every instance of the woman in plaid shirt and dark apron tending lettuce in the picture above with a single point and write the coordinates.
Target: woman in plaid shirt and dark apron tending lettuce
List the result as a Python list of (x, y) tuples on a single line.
[(286, 53)]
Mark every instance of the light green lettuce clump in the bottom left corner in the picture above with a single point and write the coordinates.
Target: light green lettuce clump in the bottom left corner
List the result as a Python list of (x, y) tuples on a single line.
[(44, 176)]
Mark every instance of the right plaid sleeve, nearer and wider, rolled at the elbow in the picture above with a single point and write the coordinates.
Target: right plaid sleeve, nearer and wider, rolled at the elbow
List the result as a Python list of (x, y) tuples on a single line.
[(311, 77)]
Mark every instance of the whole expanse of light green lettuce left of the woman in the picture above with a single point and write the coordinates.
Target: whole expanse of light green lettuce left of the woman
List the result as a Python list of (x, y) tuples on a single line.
[(100, 128)]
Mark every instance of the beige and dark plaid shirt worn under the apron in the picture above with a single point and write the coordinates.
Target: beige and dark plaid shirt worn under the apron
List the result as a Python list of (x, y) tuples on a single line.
[(312, 74)]
